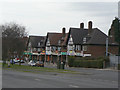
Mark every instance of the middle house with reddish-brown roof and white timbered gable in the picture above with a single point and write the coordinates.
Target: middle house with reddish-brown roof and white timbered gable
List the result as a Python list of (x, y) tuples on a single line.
[(55, 44)]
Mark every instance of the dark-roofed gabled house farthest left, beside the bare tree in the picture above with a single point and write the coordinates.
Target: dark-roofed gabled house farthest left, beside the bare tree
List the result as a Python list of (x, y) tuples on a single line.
[(36, 46)]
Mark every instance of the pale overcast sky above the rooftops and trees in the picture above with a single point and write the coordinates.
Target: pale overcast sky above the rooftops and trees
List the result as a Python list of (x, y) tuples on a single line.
[(41, 17)]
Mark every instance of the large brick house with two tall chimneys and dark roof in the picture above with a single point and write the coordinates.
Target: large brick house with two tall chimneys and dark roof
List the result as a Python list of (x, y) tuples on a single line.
[(86, 42)]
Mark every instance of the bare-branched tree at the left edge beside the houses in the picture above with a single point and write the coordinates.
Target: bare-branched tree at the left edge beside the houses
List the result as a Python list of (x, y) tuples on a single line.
[(13, 40)]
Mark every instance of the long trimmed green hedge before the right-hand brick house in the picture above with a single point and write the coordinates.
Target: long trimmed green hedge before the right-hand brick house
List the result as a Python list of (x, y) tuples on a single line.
[(88, 63)]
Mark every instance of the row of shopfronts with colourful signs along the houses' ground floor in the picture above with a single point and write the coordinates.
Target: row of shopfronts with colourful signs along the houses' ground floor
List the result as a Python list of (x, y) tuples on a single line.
[(52, 57)]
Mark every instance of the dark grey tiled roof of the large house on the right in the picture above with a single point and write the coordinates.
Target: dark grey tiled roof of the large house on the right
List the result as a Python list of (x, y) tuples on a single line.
[(95, 37)]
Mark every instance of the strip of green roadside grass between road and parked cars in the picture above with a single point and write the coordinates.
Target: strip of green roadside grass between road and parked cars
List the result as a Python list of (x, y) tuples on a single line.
[(38, 69)]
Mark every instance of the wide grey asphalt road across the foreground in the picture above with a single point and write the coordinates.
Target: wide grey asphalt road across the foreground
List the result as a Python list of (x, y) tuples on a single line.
[(90, 78)]
